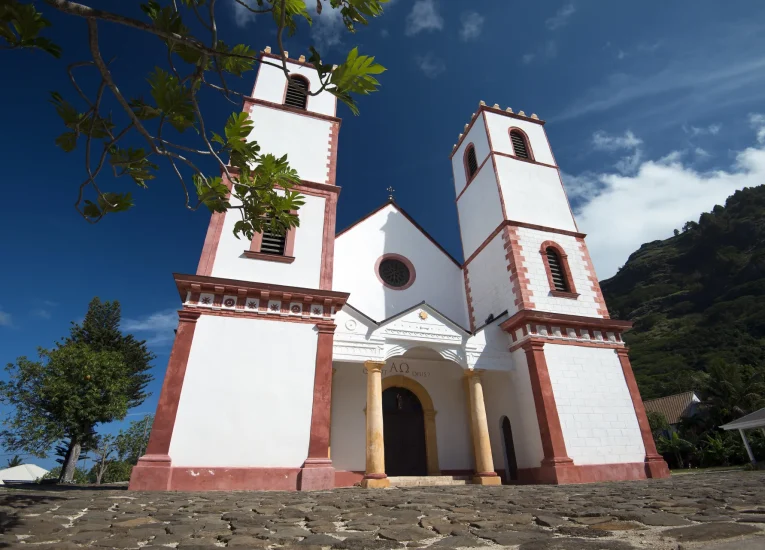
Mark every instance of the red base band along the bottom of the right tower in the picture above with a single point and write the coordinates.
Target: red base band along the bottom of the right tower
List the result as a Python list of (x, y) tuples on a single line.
[(586, 473)]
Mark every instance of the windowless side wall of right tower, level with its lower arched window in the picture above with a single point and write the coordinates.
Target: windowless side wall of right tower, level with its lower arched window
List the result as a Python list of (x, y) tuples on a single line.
[(491, 291)]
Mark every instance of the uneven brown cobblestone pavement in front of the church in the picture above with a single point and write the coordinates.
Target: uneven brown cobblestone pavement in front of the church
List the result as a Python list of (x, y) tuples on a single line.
[(712, 510)]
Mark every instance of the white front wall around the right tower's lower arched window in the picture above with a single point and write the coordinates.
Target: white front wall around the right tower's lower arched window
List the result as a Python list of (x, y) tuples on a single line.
[(531, 242)]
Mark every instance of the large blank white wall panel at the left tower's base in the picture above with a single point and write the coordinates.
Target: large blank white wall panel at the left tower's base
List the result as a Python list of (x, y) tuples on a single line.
[(246, 405)]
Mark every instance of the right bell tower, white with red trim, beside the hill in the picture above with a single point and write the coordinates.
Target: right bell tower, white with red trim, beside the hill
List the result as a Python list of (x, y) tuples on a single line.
[(524, 255)]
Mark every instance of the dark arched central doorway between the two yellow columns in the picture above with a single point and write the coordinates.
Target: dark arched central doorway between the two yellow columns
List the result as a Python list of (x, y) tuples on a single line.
[(404, 433)]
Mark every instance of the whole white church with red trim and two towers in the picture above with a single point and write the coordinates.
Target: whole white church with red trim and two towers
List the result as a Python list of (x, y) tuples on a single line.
[(318, 359)]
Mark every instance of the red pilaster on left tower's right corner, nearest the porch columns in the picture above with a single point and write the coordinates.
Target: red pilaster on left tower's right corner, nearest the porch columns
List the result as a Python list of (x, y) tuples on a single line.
[(317, 472)]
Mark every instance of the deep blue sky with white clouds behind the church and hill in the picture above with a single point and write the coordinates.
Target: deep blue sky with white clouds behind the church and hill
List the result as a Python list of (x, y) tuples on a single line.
[(653, 109)]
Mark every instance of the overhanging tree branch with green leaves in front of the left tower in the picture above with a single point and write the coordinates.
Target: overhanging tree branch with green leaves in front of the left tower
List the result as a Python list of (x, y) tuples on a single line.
[(259, 186)]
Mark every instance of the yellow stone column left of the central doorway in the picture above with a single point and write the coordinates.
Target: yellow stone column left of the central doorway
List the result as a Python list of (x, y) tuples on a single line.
[(375, 477)]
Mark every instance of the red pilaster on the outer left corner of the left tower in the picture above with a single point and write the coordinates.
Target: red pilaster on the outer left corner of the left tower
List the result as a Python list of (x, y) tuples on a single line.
[(152, 473)]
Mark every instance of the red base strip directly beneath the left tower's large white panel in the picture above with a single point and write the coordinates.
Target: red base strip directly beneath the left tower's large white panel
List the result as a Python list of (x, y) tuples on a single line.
[(204, 478)]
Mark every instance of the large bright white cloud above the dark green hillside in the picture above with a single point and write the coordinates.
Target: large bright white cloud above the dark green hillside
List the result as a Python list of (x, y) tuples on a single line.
[(622, 211)]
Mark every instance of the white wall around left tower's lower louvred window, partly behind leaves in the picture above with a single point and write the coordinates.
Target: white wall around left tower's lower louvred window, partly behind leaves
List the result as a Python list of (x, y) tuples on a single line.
[(305, 271)]
